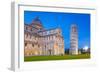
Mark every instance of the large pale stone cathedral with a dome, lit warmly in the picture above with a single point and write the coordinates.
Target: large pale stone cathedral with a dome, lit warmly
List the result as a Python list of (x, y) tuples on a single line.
[(39, 41)]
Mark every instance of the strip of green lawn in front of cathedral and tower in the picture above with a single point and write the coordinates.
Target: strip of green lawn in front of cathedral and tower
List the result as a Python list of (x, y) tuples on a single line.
[(64, 57)]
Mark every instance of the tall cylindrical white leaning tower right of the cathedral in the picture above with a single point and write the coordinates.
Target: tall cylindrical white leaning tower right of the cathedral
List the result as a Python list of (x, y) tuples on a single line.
[(74, 40)]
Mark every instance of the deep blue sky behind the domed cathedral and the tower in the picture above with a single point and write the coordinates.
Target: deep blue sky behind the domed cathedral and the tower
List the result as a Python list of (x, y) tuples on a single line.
[(64, 21)]
